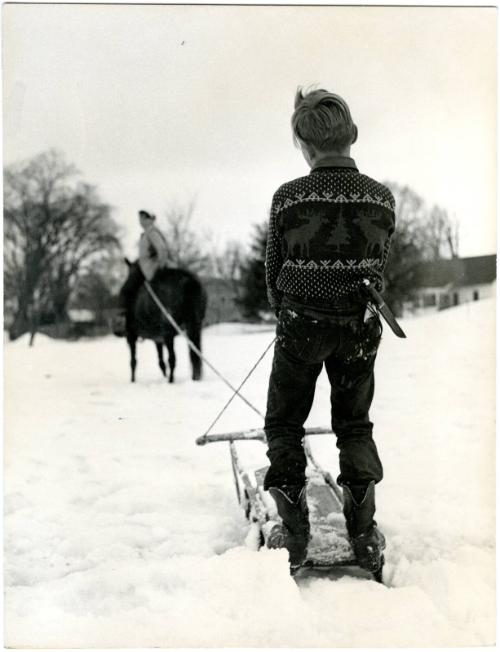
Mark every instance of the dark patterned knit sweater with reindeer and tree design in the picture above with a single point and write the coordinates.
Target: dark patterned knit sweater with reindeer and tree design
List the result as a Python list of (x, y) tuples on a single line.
[(328, 231)]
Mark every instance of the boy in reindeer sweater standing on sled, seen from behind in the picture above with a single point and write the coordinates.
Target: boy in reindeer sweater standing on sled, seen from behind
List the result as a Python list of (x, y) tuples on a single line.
[(328, 231)]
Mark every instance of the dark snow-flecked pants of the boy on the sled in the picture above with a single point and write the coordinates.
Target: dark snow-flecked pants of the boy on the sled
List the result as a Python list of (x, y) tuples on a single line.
[(347, 346)]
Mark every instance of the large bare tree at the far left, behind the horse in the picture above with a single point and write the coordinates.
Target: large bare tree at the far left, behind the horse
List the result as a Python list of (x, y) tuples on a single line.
[(55, 226)]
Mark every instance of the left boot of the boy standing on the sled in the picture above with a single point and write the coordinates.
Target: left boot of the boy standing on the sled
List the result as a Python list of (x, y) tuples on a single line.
[(295, 517)]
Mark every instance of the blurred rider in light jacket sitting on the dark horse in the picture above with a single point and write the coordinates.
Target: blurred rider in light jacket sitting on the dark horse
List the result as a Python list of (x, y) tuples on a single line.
[(153, 255)]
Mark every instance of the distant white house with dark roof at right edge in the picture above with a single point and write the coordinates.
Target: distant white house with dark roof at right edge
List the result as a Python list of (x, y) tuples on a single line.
[(446, 283)]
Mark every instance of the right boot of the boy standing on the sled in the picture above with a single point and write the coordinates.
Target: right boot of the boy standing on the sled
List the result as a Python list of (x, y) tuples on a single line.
[(366, 539)]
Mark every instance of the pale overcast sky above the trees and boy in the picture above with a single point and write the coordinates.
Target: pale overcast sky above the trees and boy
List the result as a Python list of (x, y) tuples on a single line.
[(164, 104)]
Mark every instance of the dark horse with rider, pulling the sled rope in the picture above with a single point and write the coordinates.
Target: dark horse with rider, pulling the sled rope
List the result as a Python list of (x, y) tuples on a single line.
[(182, 294)]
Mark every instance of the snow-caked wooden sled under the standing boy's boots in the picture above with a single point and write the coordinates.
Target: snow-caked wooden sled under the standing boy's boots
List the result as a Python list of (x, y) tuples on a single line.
[(329, 545)]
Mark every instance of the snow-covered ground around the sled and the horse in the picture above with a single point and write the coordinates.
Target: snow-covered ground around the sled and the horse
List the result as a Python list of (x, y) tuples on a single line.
[(121, 532)]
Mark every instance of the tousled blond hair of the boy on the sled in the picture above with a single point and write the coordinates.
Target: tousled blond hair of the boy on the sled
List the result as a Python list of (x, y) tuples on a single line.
[(323, 120)]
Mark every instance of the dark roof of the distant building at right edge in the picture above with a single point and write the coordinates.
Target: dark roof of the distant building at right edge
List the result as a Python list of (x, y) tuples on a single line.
[(457, 272)]
